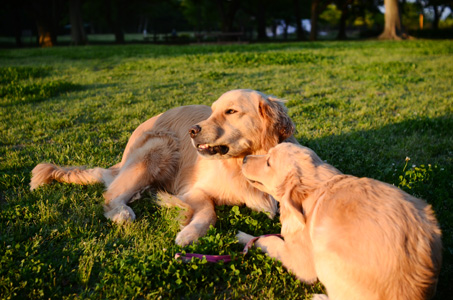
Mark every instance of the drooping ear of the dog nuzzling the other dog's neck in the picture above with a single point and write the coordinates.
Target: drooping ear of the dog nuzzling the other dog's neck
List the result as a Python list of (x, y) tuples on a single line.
[(292, 215)]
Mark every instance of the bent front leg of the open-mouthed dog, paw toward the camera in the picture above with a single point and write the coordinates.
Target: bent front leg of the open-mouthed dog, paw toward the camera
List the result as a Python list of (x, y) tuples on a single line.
[(203, 216)]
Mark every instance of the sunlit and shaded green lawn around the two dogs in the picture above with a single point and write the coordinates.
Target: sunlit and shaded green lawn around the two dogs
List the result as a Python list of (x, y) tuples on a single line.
[(362, 106)]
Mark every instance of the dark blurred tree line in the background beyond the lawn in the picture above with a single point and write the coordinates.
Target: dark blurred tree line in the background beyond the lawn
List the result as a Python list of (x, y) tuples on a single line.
[(78, 22)]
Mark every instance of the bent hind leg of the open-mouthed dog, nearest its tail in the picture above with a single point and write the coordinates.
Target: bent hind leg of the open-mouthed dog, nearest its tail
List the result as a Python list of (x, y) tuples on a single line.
[(153, 162)]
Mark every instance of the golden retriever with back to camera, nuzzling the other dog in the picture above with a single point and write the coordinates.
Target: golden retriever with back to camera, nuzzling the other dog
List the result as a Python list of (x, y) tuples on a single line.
[(362, 238)]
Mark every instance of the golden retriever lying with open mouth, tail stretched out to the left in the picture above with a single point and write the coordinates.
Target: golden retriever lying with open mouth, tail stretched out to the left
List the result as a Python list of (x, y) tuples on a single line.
[(192, 155)]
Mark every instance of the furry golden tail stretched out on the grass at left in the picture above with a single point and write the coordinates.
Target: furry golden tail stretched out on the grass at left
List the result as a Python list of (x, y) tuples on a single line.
[(45, 173)]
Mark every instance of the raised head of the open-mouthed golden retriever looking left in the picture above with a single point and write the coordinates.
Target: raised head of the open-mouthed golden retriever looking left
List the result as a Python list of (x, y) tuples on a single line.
[(242, 122)]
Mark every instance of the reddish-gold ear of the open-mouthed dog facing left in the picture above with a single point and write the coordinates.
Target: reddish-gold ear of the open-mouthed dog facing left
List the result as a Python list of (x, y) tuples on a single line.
[(278, 125)]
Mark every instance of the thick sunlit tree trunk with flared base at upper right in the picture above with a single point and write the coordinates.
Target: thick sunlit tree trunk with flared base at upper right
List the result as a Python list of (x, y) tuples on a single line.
[(392, 29)]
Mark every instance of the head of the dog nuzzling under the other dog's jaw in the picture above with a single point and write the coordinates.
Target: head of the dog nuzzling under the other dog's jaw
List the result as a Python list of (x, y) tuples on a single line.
[(289, 173)]
